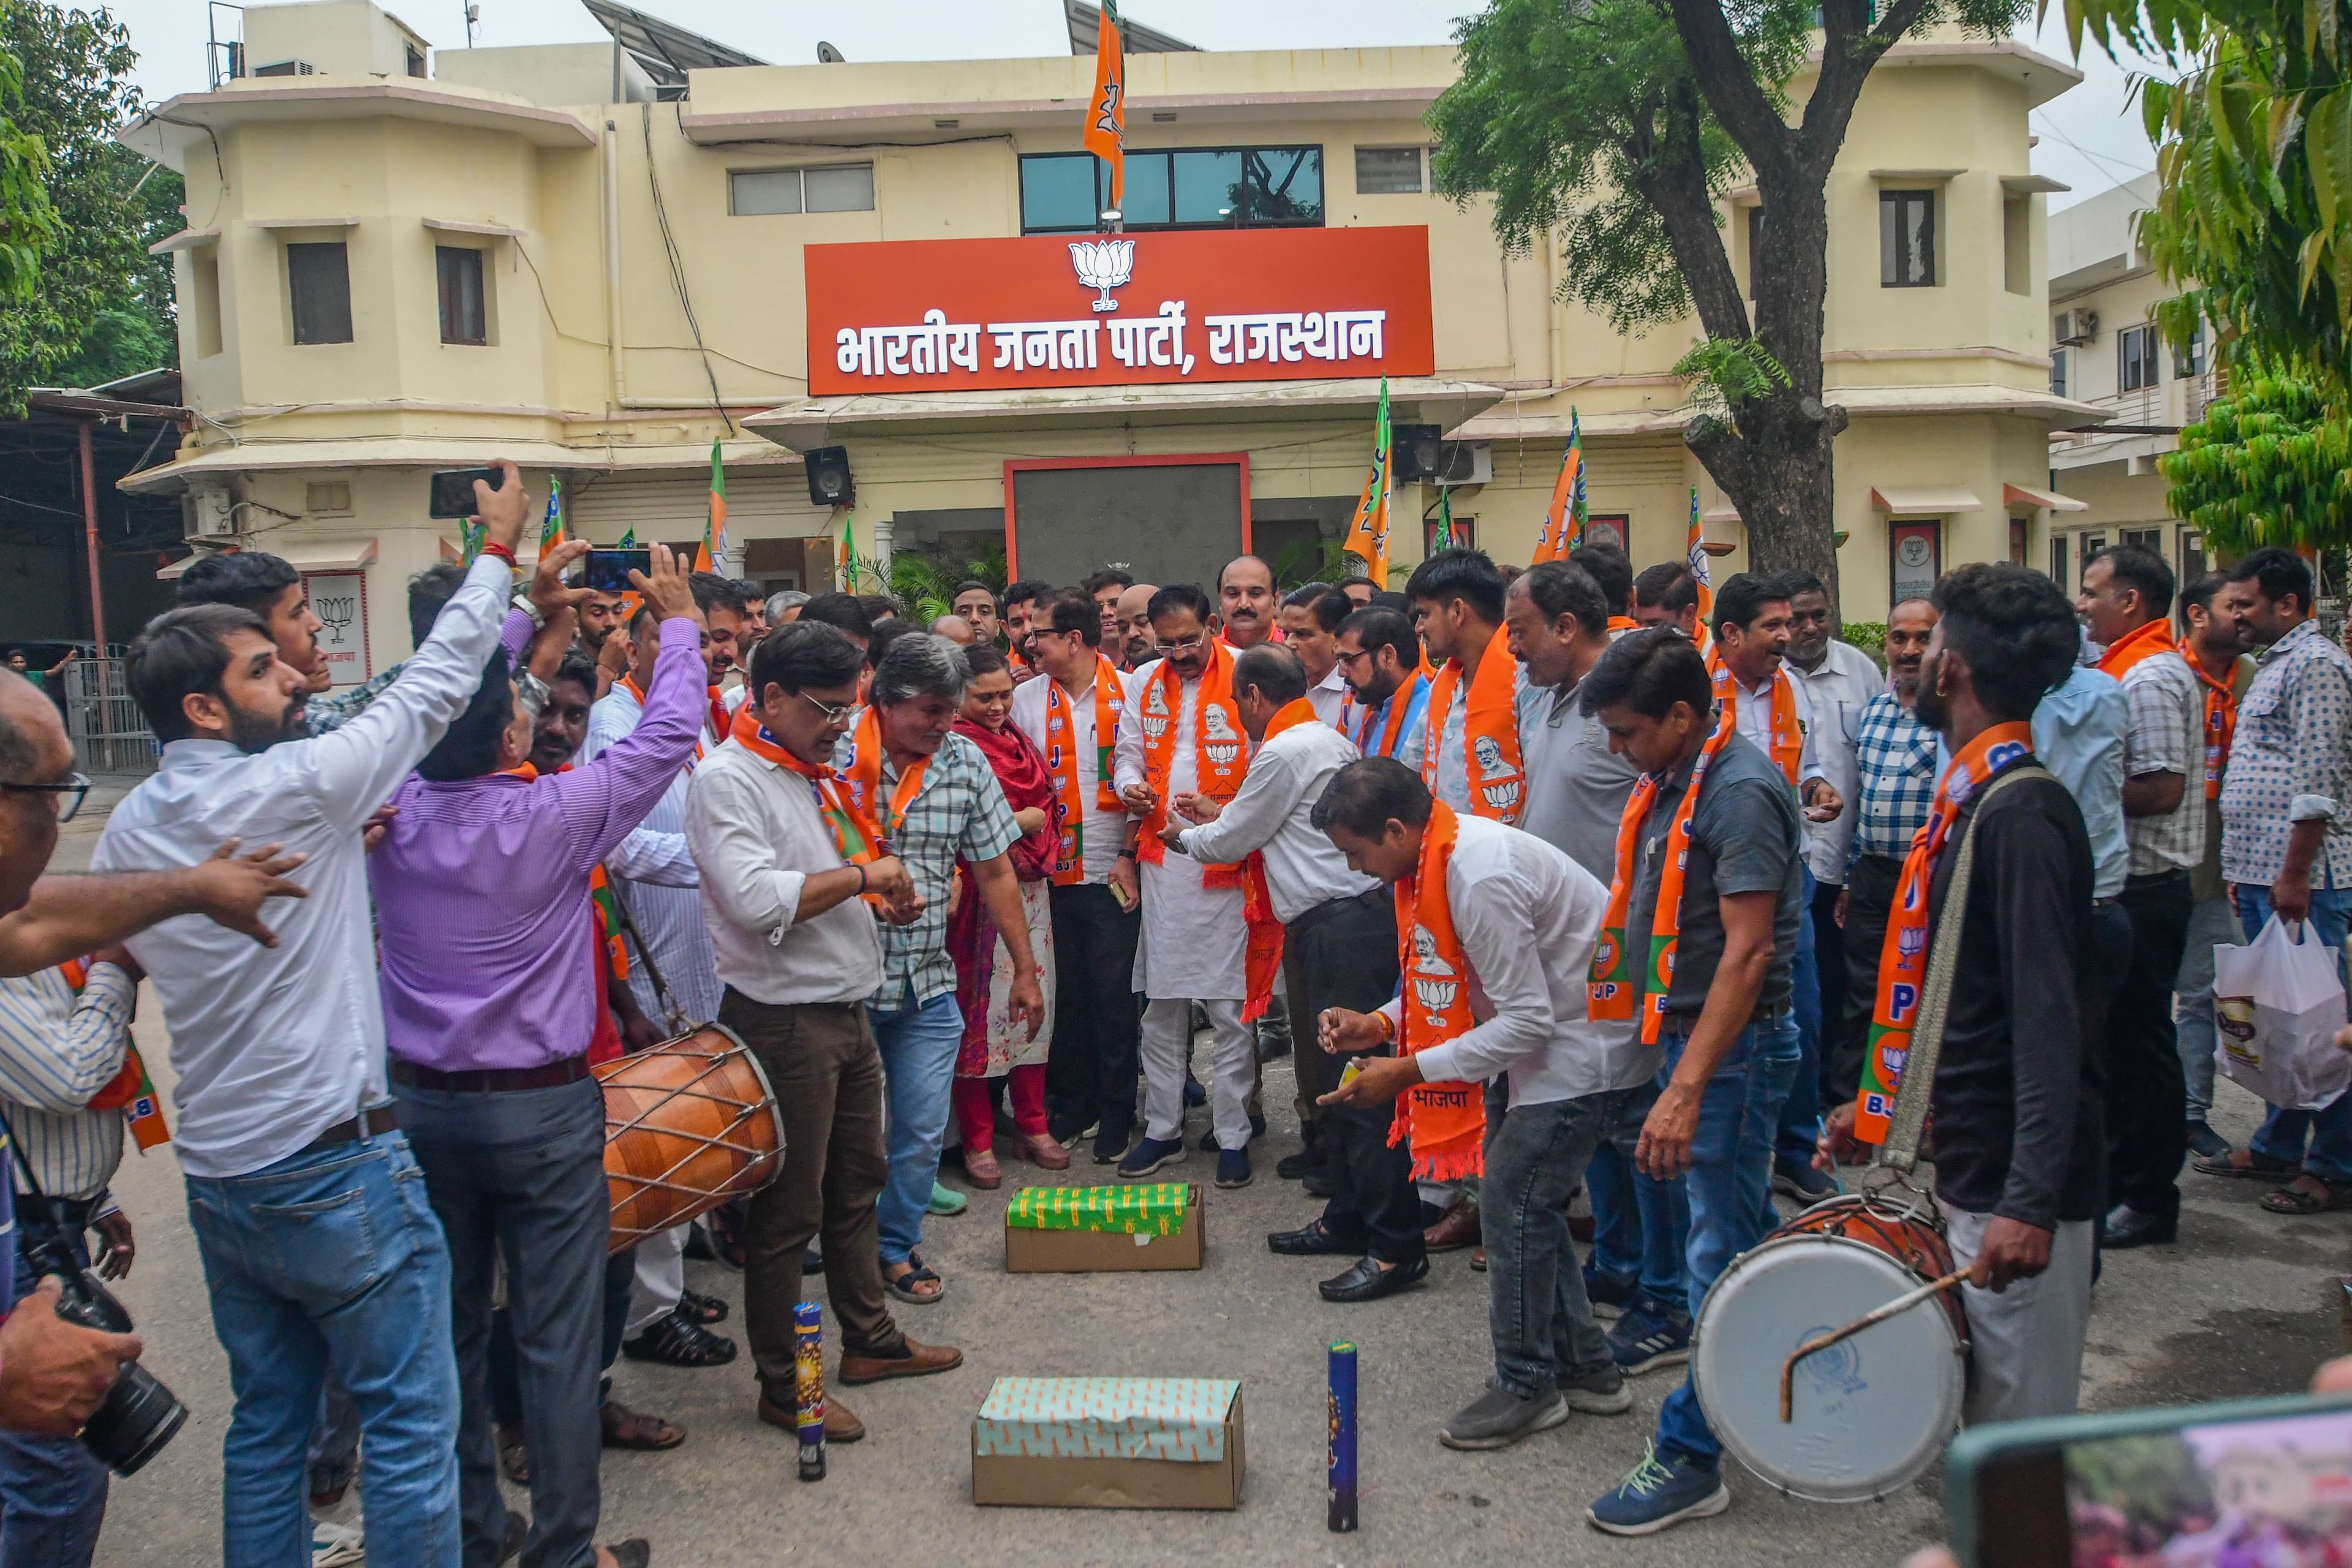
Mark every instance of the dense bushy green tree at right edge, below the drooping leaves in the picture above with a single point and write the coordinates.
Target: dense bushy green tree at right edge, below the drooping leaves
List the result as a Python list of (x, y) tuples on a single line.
[(2271, 464)]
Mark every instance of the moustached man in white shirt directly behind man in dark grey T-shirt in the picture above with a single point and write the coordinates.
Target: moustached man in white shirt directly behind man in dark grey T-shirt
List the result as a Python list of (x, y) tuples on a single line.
[(1777, 716)]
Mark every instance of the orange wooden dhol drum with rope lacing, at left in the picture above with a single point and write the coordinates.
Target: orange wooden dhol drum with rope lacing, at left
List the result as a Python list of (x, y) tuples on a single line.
[(688, 1127)]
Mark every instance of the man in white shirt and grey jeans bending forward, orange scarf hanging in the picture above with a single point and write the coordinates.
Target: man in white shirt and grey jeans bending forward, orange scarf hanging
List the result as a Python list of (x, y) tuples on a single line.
[(1525, 918)]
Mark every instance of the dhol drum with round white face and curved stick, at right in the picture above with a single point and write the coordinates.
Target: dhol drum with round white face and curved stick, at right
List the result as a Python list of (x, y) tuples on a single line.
[(1869, 1414)]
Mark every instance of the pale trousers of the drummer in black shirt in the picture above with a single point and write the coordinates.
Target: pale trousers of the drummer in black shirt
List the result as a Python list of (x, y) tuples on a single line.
[(2026, 1341)]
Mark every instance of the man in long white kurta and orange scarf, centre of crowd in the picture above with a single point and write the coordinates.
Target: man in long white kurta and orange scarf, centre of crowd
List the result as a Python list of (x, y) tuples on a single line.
[(1194, 934)]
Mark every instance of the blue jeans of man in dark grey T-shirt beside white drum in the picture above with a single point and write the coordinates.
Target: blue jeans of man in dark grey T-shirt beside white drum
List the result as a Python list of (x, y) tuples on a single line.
[(1730, 1184)]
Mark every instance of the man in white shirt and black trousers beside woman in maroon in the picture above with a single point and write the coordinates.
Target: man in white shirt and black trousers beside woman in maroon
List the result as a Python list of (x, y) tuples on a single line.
[(1097, 916)]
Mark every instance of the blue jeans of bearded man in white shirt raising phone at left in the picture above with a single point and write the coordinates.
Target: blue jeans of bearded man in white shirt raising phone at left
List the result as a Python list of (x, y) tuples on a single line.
[(333, 1252)]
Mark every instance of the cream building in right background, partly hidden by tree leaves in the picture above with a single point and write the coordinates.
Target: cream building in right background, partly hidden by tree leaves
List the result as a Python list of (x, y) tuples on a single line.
[(2111, 354)]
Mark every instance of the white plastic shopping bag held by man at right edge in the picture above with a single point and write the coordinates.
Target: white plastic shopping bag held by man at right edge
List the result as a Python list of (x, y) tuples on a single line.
[(2278, 1005)]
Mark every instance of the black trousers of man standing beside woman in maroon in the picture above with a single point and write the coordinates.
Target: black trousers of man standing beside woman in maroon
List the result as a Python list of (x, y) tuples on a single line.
[(1090, 1071)]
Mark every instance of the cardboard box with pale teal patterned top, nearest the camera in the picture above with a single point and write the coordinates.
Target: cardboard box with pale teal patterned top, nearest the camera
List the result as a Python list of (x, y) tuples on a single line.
[(1109, 1445)]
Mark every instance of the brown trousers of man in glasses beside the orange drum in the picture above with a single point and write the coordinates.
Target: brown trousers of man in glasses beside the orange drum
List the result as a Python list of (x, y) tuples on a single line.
[(827, 1078)]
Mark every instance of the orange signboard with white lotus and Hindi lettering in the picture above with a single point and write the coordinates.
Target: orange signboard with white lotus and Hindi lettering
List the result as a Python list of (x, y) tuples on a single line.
[(1229, 304)]
